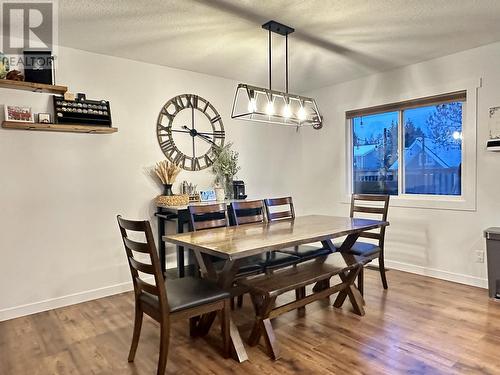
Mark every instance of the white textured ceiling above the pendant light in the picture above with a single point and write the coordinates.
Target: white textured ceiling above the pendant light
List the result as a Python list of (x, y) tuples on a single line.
[(335, 40)]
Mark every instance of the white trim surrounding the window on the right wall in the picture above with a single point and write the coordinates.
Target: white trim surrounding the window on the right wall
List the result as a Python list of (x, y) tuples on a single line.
[(468, 200)]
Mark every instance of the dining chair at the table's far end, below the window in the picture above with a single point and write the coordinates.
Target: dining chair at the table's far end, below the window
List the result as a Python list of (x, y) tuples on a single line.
[(372, 204)]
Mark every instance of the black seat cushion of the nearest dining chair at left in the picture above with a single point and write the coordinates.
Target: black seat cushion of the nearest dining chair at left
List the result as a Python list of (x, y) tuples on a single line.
[(186, 293)]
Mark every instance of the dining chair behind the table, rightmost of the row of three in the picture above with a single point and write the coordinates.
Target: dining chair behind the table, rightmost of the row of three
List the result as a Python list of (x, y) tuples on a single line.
[(283, 209)]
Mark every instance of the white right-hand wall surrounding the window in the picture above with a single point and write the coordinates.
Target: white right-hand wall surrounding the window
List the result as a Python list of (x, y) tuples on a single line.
[(439, 243)]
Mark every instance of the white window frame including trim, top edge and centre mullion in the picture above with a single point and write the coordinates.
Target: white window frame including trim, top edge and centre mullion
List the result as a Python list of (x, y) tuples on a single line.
[(467, 199)]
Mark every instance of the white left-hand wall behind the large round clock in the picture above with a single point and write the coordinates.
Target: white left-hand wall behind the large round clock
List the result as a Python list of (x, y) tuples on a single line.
[(60, 192)]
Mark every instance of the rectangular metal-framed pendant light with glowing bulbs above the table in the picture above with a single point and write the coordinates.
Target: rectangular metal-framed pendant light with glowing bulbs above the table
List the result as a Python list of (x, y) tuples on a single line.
[(254, 103)]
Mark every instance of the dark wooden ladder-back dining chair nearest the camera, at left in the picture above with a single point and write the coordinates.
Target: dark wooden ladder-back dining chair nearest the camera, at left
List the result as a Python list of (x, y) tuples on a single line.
[(167, 300)]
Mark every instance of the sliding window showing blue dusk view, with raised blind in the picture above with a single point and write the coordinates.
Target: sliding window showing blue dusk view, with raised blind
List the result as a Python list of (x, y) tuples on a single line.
[(428, 134)]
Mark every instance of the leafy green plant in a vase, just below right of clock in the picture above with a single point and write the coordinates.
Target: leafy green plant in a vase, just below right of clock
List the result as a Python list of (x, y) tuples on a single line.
[(225, 167)]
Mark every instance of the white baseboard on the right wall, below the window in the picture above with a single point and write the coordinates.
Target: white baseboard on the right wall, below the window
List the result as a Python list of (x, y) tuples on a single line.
[(438, 274)]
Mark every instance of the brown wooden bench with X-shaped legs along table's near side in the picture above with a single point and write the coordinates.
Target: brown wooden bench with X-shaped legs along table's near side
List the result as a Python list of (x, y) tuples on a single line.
[(265, 289)]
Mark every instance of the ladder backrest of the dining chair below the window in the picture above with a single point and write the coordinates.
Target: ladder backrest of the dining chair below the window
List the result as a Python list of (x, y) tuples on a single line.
[(375, 205)]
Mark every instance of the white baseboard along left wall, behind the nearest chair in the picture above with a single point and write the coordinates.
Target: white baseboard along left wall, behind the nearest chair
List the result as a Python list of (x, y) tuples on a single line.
[(71, 299)]
